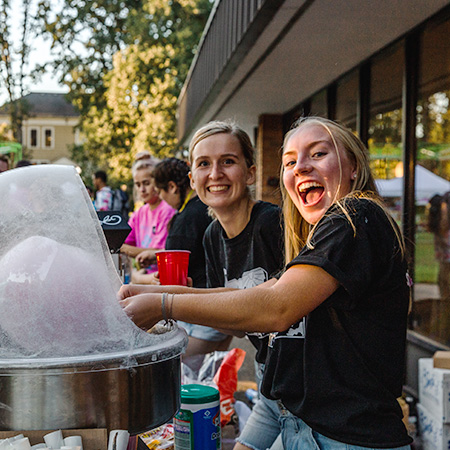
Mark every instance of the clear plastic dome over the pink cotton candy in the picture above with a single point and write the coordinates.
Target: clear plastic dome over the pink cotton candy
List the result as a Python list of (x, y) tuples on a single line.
[(58, 283)]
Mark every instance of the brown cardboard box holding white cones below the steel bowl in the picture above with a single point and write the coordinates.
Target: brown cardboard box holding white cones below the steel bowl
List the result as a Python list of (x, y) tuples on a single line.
[(93, 439)]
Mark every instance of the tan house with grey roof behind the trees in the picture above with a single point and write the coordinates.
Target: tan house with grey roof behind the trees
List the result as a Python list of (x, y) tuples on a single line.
[(49, 131)]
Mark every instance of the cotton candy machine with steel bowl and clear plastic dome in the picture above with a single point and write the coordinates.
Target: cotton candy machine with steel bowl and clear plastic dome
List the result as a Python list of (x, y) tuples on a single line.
[(69, 356)]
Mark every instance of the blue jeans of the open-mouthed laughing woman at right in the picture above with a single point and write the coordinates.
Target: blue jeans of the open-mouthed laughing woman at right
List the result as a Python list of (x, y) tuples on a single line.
[(297, 435)]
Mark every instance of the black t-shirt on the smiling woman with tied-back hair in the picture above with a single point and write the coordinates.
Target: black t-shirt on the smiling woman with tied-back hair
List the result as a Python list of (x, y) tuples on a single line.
[(246, 260)]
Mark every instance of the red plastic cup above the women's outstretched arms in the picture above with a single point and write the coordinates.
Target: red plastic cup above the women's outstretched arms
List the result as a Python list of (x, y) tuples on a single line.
[(173, 266)]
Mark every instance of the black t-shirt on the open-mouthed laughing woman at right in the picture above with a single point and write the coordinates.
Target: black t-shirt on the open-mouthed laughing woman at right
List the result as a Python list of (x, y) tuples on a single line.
[(342, 367)]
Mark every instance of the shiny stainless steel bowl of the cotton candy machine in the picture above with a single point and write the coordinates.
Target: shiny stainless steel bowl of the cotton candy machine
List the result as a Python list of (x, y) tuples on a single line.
[(135, 392)]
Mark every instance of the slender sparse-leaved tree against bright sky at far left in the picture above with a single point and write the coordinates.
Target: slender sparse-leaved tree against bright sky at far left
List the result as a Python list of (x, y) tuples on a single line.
[(15, 70)]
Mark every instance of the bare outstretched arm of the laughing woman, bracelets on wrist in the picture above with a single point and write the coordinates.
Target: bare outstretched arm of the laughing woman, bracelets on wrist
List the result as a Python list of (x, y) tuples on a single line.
[(264, 308)]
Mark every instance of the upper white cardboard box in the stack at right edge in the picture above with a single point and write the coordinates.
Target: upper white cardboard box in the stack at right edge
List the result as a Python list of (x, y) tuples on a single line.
[(434, 389)]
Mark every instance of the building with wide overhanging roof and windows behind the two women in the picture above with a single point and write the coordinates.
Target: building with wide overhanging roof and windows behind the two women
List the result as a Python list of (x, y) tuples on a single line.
[(381, 67)]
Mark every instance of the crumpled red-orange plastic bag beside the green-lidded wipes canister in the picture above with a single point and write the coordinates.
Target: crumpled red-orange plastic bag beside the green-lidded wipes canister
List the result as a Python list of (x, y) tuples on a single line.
[(226, 380)]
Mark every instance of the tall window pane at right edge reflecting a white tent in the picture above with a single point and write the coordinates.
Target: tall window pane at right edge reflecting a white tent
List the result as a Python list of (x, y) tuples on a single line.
[(431, 312)]
